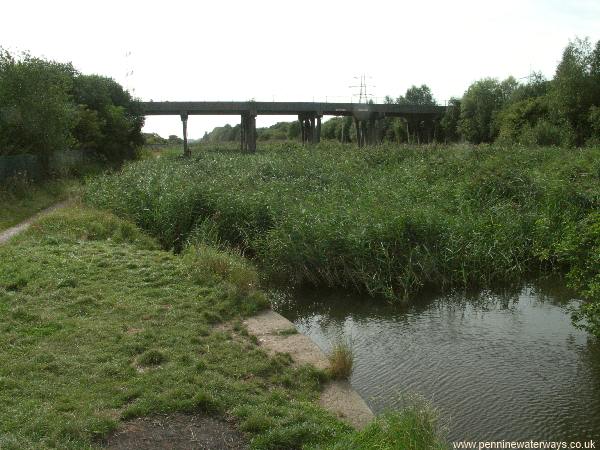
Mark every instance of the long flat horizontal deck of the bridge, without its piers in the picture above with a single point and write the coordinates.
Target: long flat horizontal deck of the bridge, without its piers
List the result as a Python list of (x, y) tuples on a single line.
[(285, 108)]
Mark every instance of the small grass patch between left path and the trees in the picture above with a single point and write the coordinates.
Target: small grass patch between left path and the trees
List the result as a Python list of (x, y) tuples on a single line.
[(20, 200)]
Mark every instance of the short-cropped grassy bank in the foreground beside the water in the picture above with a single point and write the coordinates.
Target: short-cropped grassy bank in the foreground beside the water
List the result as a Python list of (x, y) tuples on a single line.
[(99, 325)]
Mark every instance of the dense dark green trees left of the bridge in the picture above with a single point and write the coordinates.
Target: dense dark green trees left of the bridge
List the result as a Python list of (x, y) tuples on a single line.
[(47, 106)]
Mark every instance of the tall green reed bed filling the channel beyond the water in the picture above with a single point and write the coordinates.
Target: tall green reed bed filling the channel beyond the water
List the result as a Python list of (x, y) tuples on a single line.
[(387, 220)]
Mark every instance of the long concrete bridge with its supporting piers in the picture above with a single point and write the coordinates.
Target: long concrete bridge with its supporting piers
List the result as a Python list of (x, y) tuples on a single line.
[(366, 116)]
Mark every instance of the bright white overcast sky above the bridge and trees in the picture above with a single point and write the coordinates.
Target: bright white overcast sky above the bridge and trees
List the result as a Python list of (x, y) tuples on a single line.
[(295, 50)]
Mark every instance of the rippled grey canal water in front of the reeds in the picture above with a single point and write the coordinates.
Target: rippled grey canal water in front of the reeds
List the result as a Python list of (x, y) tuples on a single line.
[(495, 365)]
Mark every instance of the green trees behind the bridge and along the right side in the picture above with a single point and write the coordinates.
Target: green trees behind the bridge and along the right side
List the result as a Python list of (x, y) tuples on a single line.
[(563, 111)]
